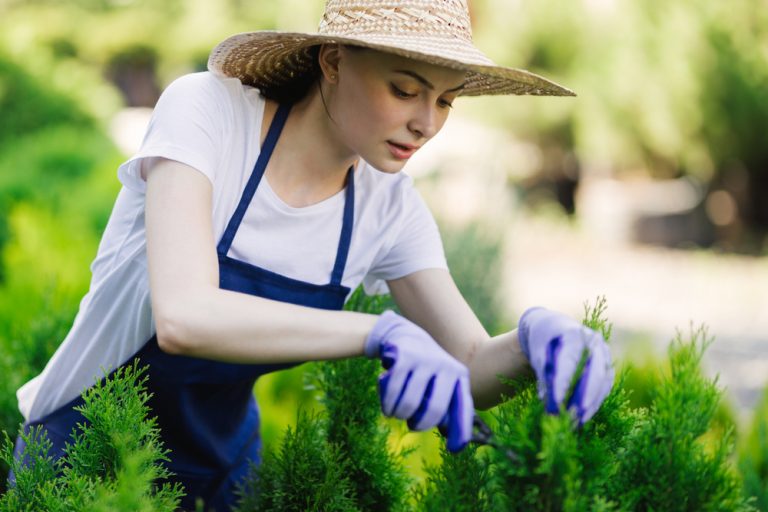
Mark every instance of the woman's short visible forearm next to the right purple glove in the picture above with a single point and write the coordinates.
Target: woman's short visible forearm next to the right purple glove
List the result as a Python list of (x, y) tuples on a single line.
[(498, 356)]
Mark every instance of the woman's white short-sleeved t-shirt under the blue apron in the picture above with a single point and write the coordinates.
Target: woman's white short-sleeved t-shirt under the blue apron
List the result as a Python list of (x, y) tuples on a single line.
[(213, 124)]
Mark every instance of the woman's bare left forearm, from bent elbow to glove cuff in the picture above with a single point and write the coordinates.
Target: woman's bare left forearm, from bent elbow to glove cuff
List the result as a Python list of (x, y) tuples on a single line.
[(227, 326)]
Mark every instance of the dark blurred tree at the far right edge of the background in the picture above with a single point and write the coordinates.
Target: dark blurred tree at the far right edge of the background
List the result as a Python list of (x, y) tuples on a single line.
[(735, 105)]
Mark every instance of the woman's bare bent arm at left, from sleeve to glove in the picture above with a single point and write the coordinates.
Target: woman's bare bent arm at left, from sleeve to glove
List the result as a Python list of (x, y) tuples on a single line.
[(194, 317)]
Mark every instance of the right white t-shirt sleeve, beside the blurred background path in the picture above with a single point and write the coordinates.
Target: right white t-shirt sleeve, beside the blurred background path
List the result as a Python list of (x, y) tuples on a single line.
[(415, 245)]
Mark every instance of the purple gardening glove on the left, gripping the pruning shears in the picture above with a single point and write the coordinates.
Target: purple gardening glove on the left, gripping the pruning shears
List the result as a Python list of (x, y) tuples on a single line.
[(423, 383)]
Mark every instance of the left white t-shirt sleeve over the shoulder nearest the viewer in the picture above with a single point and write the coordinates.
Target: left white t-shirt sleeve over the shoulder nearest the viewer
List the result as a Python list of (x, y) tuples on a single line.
[(188, 125)]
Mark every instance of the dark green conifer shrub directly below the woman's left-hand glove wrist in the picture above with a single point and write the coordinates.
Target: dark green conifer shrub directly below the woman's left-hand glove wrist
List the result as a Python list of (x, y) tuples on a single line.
[(345, 448)]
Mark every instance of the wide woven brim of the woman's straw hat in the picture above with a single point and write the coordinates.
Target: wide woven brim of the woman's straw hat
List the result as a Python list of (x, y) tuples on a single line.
[(277, 57)]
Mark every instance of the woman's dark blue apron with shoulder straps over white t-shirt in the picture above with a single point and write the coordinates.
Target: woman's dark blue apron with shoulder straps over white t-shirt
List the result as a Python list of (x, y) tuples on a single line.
[(206, 409)]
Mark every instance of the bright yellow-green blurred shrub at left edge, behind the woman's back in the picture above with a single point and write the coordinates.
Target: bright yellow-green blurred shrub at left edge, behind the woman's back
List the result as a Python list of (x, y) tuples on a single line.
[(46, 275)]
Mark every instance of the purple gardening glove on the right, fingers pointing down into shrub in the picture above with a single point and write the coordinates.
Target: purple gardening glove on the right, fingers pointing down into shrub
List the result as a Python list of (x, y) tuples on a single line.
[(554, 343)]
